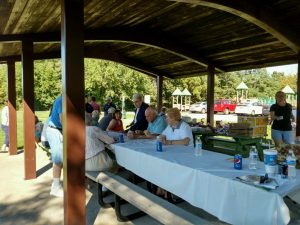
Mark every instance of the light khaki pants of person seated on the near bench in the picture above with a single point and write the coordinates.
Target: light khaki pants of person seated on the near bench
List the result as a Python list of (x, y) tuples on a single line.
[(99, 162)]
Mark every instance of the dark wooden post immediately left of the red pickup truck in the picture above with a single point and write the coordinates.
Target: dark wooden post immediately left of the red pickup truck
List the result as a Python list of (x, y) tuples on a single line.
[(210, 94)]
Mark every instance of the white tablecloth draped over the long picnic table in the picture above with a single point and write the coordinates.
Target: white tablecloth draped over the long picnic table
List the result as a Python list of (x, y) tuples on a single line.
[(207, 182)]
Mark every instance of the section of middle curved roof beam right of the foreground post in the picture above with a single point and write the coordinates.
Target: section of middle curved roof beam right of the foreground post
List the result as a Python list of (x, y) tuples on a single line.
[(151, 39)]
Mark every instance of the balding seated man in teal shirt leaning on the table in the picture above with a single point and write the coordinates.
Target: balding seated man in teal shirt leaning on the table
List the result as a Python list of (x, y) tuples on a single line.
[(156, 125)]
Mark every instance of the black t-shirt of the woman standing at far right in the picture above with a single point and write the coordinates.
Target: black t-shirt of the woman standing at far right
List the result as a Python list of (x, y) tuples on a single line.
[(286, 112)]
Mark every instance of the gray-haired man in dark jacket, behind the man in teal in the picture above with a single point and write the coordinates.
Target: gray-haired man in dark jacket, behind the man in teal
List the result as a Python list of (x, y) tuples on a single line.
[(139, 122)]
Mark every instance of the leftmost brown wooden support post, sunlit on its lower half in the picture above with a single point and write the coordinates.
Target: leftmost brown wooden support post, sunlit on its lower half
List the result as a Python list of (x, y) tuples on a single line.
[(11, 83)]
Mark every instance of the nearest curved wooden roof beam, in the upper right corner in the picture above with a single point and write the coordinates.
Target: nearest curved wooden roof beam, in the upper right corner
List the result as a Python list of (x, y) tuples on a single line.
[(256, 12)]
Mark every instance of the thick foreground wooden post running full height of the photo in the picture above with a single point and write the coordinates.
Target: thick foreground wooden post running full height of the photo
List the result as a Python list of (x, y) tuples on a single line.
[(72, 48)]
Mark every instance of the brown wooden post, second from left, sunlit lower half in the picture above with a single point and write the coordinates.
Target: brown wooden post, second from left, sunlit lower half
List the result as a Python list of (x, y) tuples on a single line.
[(28, 107)]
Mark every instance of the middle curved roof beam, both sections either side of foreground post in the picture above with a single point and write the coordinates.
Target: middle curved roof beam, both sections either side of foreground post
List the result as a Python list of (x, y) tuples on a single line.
[(142, 37)]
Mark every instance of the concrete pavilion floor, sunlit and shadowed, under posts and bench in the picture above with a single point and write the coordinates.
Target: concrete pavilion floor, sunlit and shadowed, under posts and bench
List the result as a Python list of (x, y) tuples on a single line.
[(28, 201)]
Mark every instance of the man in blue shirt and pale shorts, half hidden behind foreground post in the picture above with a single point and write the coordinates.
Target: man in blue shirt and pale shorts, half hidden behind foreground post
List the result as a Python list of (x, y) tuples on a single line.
[(55, 139)]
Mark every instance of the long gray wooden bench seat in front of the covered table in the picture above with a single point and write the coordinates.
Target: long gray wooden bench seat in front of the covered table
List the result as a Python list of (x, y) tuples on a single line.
[(158, 208)]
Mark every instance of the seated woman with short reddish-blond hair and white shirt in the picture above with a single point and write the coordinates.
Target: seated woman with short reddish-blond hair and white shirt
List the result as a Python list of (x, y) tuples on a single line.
[(177, 132)]
